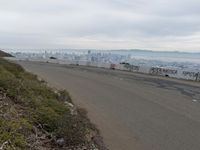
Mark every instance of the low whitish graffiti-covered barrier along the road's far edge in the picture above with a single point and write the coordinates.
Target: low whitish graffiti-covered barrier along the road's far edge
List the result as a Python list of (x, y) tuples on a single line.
[(160, 71)]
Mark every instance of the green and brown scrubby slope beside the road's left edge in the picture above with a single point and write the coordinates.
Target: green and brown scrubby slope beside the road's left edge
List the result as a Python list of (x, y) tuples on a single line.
[(34, 116)]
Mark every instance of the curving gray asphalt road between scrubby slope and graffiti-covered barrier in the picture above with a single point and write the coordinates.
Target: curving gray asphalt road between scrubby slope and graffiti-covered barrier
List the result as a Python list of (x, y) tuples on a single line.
[(133, 111)]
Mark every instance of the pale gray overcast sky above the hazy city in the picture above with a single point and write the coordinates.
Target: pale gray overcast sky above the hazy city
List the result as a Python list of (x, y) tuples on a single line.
[(101, 24)]
